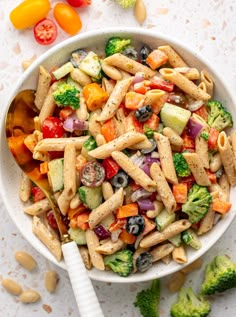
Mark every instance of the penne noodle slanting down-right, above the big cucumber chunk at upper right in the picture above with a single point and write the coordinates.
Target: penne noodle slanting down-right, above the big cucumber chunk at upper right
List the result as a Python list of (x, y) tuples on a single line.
[(184, 84)]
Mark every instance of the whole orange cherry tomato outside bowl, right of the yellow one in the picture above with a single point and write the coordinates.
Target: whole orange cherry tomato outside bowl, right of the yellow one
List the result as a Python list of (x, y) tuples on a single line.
[(67, 18)]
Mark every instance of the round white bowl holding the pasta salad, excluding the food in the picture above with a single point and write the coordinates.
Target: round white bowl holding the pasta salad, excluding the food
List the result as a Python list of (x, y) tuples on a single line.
[(10, 172)]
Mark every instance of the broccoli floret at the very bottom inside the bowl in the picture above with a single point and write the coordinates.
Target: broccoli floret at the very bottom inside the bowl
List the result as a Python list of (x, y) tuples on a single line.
[(120, 262)]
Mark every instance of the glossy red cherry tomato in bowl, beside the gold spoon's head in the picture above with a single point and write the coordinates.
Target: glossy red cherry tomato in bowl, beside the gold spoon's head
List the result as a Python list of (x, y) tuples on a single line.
[(52, 128)]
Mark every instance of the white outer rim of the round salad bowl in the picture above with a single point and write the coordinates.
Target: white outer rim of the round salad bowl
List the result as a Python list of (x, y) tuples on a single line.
[(123, 31)]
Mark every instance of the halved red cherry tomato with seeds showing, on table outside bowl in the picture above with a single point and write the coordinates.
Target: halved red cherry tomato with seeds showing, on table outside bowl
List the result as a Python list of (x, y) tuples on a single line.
[(45, 32)]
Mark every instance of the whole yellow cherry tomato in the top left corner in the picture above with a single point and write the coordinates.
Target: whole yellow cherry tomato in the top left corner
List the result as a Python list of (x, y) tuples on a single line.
[(29, 12)]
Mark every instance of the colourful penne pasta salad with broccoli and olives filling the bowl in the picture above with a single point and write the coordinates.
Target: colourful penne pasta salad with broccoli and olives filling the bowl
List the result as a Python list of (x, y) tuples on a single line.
[(135, 150)]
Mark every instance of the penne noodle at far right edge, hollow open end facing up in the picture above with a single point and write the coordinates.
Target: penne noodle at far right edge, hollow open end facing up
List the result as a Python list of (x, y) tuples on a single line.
[(227, 157)]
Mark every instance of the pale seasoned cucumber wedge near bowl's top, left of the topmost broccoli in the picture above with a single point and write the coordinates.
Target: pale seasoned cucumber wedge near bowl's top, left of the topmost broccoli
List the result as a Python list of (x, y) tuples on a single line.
[(91, 65)]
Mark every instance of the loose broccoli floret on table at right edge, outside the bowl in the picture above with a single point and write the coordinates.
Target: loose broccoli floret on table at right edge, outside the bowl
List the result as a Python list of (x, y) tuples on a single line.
[(220, 275)]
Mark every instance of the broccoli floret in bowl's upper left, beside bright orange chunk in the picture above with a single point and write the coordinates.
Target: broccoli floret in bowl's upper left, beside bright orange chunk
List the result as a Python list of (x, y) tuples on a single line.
[(66, 95)]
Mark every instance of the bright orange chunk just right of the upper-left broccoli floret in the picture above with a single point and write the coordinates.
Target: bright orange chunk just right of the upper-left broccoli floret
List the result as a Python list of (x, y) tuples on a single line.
[(94, 96)]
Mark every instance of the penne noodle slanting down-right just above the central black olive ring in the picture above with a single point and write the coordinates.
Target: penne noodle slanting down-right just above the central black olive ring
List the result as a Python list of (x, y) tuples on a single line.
[(136, 173)]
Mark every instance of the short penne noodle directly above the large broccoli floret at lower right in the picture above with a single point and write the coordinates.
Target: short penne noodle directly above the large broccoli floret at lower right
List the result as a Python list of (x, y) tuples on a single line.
[(197, 168)]
